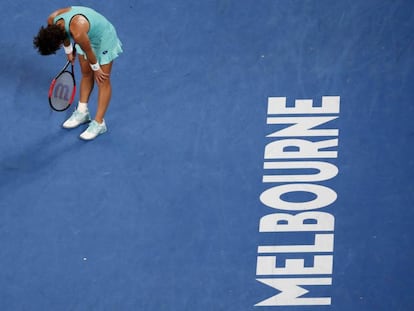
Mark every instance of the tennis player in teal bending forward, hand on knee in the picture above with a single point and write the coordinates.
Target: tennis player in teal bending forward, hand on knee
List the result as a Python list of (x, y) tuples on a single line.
[(97, 45)]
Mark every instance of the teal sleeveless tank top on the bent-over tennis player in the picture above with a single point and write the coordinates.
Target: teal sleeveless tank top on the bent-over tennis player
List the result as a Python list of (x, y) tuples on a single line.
[(98, 24)]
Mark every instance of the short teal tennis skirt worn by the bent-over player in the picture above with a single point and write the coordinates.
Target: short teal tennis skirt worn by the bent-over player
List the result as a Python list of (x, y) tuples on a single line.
[(107, 49)]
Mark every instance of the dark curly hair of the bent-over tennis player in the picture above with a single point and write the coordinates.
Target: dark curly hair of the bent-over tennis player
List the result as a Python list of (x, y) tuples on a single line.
[(49, 39)]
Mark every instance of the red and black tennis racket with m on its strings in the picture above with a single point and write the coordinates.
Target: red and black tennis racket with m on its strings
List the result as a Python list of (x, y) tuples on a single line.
[(62, 90)]
